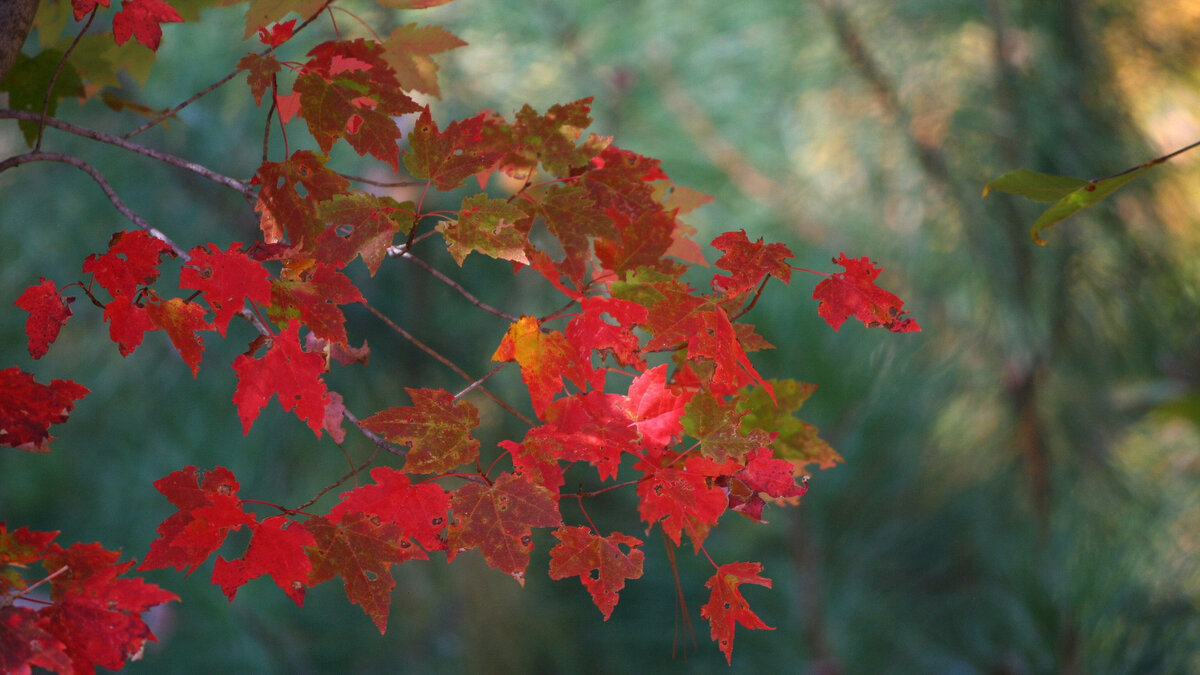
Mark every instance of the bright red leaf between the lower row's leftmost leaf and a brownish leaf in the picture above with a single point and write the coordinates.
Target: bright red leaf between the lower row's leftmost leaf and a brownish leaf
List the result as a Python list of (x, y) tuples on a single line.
[(278, 548)]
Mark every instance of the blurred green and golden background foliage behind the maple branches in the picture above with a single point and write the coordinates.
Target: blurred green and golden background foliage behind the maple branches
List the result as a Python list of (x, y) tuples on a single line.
[(1022, 487)]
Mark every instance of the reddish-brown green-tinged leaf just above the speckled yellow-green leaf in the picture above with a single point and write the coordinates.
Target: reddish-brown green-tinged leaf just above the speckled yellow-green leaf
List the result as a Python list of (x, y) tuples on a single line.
[(448, 158)]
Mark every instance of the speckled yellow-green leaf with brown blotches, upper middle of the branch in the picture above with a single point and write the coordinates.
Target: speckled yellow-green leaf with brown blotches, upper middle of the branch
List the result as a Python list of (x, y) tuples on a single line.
[(494, 228)]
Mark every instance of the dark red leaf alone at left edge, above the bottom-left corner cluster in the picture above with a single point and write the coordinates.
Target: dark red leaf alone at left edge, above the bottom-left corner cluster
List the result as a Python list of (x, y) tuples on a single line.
[(28, 409)]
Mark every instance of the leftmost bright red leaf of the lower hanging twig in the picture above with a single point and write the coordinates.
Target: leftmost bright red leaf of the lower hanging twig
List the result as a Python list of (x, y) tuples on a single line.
[(209, 510)]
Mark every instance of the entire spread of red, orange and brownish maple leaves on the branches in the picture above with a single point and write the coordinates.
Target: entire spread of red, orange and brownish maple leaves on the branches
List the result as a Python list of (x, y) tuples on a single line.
[(641, 377)]
